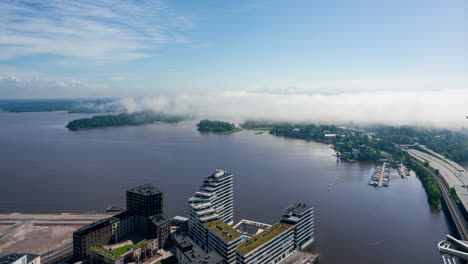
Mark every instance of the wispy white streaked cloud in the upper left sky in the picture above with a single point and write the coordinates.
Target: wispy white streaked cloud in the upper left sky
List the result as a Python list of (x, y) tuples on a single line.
[(91, 31)]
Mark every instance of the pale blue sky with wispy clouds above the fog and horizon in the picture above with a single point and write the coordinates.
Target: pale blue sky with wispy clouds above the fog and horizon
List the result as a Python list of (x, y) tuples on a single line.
[(146, 48)]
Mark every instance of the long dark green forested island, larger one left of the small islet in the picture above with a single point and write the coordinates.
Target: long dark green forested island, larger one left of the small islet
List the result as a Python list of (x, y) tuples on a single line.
[(122, 119)]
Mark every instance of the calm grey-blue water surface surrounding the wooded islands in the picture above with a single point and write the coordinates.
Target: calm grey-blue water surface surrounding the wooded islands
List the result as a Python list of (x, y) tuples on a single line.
[(43, 166)]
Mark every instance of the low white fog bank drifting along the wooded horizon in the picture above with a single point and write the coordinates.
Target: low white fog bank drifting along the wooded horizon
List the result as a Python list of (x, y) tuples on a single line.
[(445, 109)]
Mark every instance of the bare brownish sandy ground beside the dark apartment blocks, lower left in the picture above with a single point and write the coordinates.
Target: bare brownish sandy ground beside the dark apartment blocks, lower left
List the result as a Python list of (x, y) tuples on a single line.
[(39, 233)]
